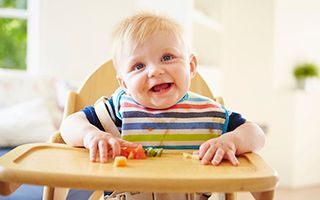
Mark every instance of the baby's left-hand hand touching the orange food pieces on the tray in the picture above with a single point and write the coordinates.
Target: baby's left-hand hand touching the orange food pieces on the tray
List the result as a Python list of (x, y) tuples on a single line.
[(105, 144)]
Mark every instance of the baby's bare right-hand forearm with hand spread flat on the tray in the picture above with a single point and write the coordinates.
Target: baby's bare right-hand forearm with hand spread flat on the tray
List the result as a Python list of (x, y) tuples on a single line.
[(248, 137)]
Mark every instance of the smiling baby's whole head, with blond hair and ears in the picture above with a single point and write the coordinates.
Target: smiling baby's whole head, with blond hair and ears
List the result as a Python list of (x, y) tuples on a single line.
[(152, 60)]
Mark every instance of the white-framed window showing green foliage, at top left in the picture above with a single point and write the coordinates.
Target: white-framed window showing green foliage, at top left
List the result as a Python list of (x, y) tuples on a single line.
[(13, 34)]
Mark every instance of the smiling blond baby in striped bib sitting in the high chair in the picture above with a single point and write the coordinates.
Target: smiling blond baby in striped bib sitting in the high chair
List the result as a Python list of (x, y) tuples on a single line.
[(154, 106)]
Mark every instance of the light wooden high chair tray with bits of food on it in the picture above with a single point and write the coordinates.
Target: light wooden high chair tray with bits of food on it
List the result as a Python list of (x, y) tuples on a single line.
[(59, 165)]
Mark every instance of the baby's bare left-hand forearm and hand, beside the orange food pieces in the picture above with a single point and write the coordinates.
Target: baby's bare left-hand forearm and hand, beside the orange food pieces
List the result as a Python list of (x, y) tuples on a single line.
[(76, 130)]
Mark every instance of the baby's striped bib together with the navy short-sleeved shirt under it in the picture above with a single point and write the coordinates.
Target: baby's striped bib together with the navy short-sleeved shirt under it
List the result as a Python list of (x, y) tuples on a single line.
[(193, 120)]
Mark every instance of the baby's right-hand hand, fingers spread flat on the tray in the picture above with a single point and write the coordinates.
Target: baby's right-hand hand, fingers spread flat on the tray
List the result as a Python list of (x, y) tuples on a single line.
[(215, 150)]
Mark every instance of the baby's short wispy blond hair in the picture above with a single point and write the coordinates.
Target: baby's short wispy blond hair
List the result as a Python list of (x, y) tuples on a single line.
[(135, 30)]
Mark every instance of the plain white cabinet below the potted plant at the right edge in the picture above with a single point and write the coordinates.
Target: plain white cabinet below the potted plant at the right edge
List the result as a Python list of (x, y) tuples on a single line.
[(306, 145)]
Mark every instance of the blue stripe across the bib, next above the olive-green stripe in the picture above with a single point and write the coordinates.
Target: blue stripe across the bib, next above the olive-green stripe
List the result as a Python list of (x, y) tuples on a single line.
[(151, 126)]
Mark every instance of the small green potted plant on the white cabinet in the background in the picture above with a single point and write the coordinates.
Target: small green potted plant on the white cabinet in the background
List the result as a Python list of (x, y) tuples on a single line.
[(305, 72)]
